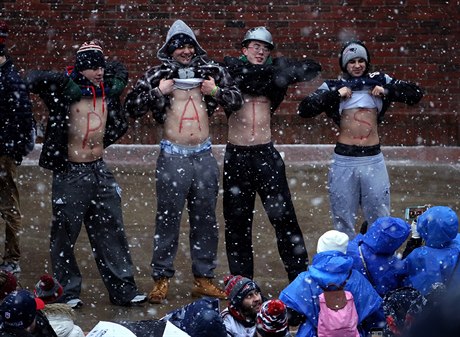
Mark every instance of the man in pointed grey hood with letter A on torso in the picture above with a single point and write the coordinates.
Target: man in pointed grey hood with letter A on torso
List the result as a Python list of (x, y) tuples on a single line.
[(182, 93)]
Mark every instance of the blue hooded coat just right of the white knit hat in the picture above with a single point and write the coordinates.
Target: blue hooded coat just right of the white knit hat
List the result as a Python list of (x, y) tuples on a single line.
[(378, 246)]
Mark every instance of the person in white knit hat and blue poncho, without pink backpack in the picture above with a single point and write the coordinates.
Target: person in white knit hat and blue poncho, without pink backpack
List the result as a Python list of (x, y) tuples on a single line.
[(331, 266)]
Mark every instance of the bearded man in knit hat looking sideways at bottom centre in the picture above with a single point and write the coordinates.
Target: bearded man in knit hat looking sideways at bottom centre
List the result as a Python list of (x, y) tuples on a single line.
[(244, 302)]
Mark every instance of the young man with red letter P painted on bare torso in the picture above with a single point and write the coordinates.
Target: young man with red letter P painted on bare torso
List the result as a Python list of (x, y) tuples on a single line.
[(85, 116)]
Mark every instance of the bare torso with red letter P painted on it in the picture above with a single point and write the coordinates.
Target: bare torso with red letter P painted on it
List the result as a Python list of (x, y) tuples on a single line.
[(86, 130)]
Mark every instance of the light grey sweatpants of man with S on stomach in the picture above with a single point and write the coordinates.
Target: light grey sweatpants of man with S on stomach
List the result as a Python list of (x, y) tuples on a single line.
[(358, 182)]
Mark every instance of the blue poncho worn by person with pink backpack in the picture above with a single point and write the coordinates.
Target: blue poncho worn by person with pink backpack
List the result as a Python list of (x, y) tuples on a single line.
[(326, 268)]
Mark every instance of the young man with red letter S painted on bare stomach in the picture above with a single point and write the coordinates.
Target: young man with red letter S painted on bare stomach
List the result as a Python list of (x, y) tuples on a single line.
[(357, 103)]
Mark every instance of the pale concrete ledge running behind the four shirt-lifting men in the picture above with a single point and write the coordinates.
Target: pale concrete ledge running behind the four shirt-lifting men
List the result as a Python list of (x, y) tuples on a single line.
[(293, 154)]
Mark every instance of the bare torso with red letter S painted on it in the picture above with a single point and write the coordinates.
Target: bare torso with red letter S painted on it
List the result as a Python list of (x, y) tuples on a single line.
[(358, 126)]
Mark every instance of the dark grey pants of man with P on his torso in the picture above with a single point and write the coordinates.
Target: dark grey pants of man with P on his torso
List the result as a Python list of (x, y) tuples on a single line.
[(89, 194)]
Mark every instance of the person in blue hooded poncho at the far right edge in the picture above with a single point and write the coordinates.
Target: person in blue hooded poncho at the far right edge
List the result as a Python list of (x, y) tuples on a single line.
[(436, 261)]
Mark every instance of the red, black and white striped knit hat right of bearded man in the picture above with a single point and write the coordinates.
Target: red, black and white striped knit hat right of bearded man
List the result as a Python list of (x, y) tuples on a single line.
[(272, 320)]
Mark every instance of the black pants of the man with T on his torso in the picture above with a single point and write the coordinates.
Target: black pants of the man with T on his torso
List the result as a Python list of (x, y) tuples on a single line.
[(259, 169)]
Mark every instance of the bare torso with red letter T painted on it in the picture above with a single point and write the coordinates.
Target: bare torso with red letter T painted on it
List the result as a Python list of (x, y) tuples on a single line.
[(251, 124)]
